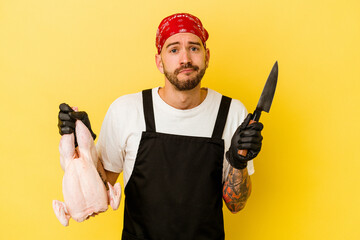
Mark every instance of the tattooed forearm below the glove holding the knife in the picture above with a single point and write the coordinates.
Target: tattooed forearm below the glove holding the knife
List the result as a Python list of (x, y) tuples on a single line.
[(236, 189)]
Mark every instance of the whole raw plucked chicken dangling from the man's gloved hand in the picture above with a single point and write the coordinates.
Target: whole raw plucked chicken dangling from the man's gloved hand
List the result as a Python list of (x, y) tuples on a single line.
[(84, 191)]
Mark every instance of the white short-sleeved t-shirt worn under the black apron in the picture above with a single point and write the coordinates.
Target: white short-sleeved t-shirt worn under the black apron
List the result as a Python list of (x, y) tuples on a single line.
[(124, 123)]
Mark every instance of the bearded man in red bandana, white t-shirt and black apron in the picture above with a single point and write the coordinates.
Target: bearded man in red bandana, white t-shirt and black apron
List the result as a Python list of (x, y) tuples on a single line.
[(170, 143)]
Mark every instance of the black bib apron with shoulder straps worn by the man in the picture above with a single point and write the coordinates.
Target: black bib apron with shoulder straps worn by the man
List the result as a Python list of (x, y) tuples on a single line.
[(175, 189)]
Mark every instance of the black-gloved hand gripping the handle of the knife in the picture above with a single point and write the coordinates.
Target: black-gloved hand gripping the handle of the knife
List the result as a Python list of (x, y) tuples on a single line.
[(245, 137)]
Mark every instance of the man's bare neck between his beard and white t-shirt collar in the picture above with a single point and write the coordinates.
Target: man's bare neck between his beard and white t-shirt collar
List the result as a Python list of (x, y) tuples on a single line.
[(182, 99)]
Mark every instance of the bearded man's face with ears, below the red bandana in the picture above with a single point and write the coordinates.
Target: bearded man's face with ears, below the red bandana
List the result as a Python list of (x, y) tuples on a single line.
[(183, 60)]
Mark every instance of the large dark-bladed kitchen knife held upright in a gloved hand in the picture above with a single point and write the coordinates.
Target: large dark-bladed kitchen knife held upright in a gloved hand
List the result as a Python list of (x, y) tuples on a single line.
[(265, 100)]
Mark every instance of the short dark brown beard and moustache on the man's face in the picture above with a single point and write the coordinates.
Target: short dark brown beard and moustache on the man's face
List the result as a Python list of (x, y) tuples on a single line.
[(188, 84)]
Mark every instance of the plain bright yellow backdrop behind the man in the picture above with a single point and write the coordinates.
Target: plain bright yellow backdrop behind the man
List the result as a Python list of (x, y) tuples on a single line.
[(89, 52)]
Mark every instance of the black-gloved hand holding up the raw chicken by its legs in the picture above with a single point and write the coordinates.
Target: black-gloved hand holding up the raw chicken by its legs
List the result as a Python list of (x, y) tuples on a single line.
[(67, 118)]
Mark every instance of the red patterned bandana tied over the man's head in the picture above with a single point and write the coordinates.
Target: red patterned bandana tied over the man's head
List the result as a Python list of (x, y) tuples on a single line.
[(179, 23)]
